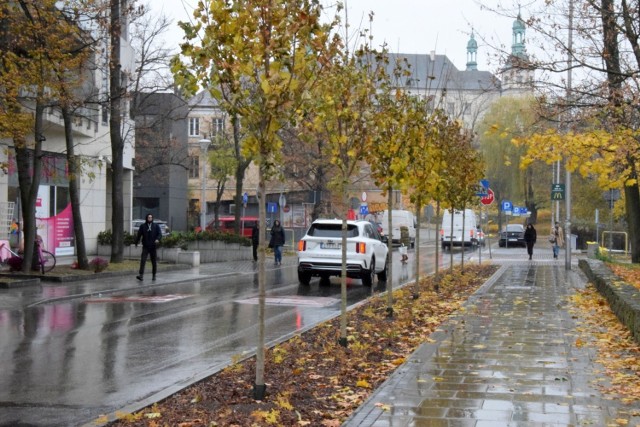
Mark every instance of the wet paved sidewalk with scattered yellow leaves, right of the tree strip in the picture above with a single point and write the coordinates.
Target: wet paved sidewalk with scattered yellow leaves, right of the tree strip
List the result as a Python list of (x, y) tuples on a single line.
[(507, 359)]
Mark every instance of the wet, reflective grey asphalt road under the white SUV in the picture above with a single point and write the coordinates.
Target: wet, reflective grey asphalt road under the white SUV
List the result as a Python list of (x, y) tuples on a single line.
[(68, 360)]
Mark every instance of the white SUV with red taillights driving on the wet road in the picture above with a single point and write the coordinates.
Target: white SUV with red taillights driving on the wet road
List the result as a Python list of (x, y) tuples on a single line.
[(320, 251)]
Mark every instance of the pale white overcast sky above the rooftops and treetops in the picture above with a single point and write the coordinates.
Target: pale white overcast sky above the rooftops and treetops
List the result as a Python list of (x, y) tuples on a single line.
[(409, 26)]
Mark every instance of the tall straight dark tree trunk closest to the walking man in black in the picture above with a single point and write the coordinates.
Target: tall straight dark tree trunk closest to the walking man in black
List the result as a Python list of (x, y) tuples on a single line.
[(117, 143)]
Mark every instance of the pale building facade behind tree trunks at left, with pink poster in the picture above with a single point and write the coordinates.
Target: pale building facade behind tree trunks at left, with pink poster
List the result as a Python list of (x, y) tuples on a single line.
[(92, 144)]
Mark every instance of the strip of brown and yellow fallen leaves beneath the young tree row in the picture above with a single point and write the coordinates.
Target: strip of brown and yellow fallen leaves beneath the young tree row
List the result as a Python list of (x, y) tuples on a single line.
[(311, 379)]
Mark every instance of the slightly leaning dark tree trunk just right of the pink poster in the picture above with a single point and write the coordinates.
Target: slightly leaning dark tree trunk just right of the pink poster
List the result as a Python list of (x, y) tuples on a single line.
[(74, 192)]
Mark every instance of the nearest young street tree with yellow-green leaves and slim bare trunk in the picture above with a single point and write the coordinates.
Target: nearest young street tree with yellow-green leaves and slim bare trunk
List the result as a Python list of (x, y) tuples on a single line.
[(270, 53)]
